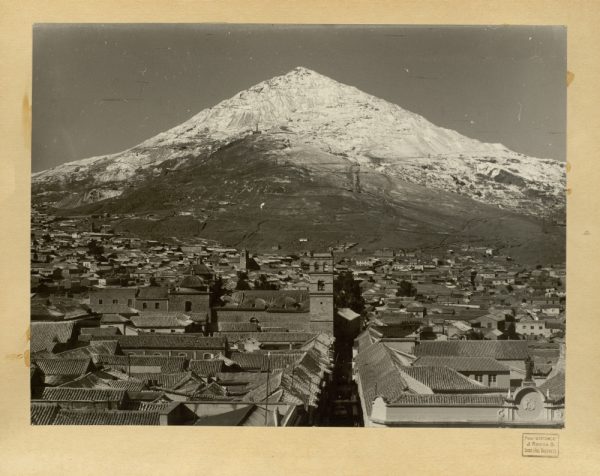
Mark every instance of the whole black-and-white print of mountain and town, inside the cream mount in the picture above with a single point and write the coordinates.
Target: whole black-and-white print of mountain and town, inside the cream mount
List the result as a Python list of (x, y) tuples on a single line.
[(298, 225)]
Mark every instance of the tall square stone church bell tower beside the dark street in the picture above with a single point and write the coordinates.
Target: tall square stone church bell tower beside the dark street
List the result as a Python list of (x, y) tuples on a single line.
[(321, 292)]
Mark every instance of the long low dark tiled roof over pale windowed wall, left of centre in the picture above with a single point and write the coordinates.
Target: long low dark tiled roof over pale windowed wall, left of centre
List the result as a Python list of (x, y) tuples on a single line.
[(170, 341)]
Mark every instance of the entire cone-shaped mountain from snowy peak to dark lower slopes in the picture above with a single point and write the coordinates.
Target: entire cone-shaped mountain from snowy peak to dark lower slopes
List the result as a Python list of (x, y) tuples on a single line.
[(284, 139)]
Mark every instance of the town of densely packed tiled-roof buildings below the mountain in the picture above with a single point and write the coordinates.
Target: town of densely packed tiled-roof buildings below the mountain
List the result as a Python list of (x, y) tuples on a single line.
[(133, 331)]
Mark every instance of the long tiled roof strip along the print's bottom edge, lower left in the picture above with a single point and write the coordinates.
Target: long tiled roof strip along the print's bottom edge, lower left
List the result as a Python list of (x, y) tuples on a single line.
[(107, 417)]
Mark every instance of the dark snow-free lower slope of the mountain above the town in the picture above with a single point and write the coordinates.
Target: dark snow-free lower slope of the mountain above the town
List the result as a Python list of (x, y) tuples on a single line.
[(259, 193)]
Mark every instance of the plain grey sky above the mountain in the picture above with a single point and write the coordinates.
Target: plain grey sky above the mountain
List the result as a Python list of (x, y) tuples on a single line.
[(100, 89)]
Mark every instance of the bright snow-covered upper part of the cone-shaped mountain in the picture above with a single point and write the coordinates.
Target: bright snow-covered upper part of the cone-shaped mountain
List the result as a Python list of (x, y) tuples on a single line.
[(311, 112)]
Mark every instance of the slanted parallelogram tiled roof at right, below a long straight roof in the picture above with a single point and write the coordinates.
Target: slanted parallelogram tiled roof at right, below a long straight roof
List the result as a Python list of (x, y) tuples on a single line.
[(443, 379)]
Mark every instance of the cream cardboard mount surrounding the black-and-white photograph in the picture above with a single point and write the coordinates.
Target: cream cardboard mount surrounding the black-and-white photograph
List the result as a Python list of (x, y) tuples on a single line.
[(131, 450)]
